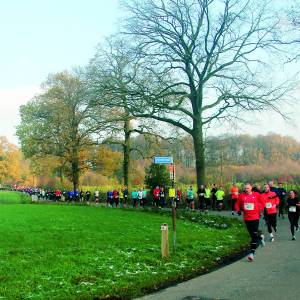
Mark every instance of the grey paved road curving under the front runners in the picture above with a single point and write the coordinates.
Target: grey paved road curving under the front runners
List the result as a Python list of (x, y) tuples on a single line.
[(275, 274)]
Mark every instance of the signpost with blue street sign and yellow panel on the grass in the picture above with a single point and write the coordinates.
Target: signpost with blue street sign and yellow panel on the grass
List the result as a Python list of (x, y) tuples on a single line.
[(168, 160)]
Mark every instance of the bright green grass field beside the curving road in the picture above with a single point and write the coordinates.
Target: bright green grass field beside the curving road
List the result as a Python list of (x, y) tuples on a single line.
[(80, 252)]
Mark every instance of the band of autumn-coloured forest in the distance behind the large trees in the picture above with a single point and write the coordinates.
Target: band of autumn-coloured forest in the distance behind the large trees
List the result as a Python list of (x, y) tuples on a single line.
[(228, 158)]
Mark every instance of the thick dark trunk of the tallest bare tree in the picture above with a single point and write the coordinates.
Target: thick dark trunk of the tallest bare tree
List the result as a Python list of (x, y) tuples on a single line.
[(199, 147)]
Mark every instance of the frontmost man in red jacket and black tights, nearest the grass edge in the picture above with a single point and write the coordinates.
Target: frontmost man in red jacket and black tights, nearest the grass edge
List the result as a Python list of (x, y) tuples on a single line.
[(252, 205)]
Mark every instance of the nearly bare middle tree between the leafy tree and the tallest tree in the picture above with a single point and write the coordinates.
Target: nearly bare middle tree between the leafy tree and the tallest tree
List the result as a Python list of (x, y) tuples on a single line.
[(110, 76)]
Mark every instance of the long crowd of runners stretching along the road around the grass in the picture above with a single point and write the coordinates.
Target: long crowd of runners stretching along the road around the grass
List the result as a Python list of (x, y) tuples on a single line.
[(253, 201)]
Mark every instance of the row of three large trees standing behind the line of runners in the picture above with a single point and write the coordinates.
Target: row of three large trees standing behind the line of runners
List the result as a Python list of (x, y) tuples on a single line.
[(177, 67)]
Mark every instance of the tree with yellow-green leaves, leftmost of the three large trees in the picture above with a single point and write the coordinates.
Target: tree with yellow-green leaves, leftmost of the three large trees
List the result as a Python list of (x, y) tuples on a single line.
[(60, 122)]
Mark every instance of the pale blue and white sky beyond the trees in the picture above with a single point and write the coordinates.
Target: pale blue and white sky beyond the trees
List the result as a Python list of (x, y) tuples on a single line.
[(39, 37)]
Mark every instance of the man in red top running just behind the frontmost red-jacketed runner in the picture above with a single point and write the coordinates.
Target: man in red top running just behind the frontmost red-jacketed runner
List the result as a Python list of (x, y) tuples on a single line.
[(271, 202)]
